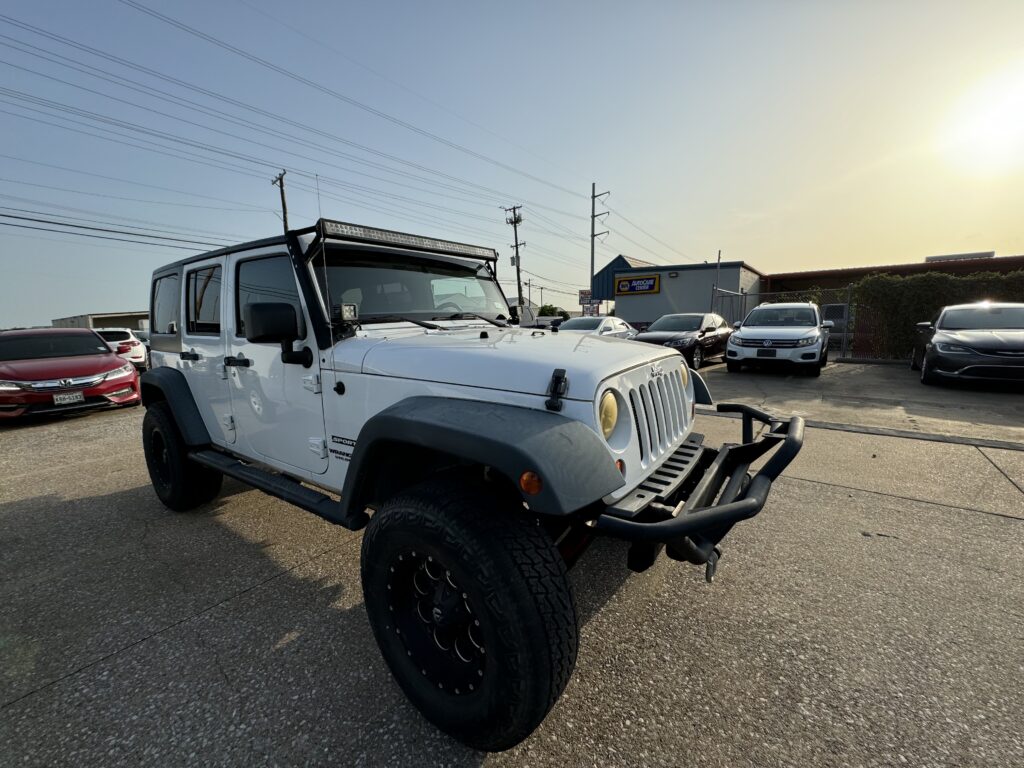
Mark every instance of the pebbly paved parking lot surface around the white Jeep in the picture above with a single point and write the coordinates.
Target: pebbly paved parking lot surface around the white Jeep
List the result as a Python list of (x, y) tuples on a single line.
[(871, 616)]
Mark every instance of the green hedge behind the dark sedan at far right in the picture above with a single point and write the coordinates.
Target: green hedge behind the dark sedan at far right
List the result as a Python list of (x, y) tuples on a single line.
[(887, 308)]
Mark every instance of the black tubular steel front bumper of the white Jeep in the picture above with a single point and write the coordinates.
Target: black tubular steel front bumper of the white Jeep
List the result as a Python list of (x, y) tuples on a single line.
[(699, 494)]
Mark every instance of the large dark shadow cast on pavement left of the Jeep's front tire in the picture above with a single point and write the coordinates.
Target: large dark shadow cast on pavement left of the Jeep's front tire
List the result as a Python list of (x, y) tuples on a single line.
[(234, 634)]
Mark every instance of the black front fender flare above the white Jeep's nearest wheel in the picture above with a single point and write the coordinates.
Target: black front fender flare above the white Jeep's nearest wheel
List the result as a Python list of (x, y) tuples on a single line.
[(575, 465)]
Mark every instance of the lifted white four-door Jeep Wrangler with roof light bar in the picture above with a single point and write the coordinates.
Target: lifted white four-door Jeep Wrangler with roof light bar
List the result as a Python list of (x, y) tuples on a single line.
[(481, 458)]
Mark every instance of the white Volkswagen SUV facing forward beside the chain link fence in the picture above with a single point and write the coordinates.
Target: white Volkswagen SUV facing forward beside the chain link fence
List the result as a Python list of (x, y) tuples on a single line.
[(791, 333)]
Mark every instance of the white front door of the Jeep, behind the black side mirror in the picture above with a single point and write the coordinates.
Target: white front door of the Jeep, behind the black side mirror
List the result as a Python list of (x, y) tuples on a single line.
[(279, 411)]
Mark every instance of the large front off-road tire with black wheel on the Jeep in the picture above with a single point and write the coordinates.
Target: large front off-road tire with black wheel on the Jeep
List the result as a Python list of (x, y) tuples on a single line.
[(516, 583)]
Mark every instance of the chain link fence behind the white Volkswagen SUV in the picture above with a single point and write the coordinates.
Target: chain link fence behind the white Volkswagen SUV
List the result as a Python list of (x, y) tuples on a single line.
[(850, 335)]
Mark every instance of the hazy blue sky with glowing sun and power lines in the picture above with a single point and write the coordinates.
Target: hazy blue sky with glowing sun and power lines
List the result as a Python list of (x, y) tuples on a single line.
[(793, 136)]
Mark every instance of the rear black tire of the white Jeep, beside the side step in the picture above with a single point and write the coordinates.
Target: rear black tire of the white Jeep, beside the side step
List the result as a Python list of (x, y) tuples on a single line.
[(180, 484)]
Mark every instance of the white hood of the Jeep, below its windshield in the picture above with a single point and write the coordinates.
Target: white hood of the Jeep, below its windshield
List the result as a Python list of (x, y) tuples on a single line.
[(509, 360)]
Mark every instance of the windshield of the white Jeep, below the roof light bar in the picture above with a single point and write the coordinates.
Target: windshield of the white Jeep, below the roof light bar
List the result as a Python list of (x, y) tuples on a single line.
[(425, 288)]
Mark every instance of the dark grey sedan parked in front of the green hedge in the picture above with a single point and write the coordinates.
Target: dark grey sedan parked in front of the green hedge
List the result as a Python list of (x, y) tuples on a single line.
[(972, 342)]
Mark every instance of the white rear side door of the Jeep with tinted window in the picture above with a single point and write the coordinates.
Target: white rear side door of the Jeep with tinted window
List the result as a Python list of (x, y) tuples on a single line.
[(202, 359)]
